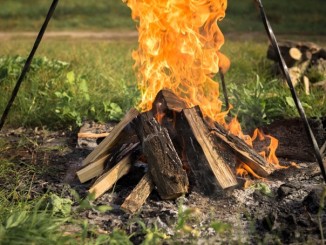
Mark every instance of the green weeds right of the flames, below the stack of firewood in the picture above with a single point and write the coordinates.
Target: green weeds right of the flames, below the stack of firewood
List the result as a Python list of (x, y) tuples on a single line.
[(261, 102)]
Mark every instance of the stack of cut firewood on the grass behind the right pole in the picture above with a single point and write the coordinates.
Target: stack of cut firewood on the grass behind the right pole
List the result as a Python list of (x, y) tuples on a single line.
[(306, 62)]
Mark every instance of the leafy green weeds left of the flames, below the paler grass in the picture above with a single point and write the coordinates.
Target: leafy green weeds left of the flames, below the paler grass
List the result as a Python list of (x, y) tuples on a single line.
[(56, 96)]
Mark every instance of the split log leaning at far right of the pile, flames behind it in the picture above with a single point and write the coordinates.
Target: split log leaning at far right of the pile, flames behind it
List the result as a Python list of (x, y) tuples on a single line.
[(243, 151)]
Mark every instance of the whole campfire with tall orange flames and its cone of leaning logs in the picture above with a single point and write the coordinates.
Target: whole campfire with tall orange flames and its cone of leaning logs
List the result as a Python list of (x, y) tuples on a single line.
[(180, 130)]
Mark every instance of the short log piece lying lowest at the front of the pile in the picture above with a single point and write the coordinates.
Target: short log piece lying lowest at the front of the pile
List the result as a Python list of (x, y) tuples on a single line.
[(138, 196)]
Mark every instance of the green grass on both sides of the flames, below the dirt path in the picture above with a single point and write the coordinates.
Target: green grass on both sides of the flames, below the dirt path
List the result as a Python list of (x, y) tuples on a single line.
[(94, 80)]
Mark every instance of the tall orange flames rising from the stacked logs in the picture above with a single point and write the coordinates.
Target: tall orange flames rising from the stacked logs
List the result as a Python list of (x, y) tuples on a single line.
[(179, 50)]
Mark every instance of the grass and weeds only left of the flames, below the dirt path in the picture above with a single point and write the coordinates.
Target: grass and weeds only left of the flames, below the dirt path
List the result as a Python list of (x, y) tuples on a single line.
[(84, 79)]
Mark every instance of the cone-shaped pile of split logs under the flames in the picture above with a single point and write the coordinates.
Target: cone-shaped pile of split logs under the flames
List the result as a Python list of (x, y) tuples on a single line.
[(182, 149)]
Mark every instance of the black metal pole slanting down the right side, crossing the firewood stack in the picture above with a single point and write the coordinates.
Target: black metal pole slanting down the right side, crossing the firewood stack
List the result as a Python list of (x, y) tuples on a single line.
[(297, 102)]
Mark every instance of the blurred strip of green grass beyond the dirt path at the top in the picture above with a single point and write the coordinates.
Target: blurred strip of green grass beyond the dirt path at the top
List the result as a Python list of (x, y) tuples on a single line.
[(287, 17)]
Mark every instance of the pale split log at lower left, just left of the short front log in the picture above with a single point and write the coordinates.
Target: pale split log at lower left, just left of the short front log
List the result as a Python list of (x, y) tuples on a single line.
[(107, 180)]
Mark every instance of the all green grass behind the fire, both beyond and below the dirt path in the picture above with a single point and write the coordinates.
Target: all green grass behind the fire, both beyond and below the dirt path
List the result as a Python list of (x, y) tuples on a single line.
[(72, 80)]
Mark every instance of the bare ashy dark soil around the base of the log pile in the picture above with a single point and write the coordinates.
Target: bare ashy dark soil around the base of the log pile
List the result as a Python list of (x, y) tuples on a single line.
[(285, 208)]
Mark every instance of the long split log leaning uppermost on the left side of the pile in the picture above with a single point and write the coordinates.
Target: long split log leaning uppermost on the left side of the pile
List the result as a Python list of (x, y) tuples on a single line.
[(112, 139)]
